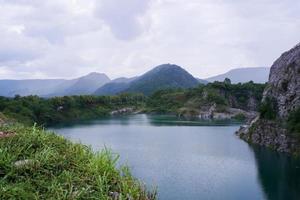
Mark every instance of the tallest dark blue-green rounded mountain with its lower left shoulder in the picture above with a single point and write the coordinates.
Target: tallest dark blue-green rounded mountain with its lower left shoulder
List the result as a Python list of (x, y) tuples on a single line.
[(161, 77)]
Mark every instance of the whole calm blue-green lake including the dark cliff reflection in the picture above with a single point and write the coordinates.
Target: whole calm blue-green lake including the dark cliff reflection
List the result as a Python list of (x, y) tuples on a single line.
[(190, 159)]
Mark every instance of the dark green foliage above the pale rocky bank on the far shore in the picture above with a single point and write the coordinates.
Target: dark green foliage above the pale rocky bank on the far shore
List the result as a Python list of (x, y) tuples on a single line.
[(223, 94)]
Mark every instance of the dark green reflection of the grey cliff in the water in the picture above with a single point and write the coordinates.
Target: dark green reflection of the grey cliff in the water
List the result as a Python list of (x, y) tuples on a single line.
[(279, 174)]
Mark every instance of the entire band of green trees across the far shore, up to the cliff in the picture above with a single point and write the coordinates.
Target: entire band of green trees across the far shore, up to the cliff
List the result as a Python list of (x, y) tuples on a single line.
[(56, 110)]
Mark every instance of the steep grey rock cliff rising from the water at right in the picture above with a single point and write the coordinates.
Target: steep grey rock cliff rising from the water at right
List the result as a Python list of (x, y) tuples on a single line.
[(284, 89)]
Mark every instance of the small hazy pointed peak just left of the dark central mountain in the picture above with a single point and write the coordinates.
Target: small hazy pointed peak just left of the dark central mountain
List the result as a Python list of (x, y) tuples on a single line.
[(85, 85)]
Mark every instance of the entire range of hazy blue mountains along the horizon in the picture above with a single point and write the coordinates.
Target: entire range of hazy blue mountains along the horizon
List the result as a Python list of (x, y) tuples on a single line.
[(160, 77)]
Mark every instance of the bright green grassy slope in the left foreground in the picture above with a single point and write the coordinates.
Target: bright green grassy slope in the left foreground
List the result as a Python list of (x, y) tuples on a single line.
[(59, 169)]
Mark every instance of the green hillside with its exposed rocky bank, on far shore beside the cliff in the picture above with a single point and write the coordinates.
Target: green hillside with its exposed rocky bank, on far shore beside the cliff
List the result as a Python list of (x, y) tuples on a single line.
[(218, 100)]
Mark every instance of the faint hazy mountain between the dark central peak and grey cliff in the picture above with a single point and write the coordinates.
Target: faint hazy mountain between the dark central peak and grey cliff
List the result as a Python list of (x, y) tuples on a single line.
[(243, 75)]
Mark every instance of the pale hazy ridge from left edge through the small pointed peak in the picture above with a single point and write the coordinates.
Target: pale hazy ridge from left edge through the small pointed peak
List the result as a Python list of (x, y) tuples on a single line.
[(53, 87)]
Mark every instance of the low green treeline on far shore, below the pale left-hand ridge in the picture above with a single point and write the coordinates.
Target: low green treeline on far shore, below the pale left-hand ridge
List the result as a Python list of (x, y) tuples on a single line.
[(55, 110)]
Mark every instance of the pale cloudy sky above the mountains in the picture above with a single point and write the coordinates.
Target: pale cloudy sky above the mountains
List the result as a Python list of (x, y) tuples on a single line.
[(124, 38)]
